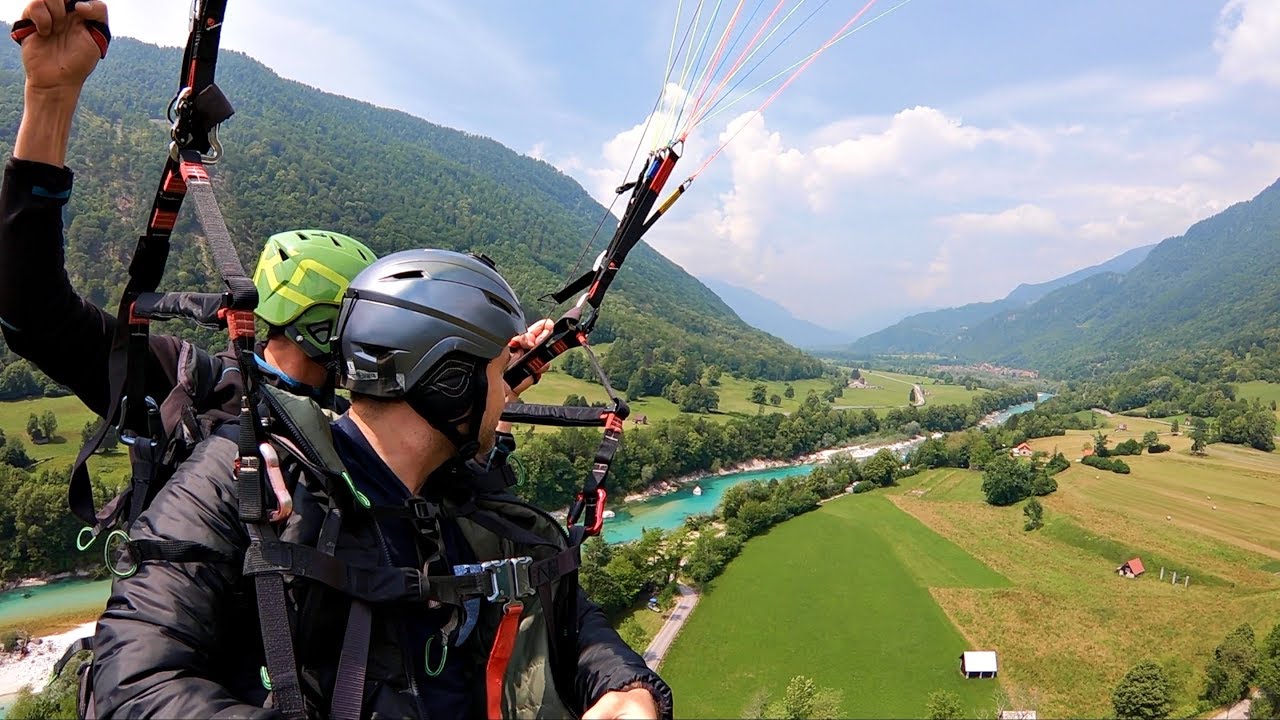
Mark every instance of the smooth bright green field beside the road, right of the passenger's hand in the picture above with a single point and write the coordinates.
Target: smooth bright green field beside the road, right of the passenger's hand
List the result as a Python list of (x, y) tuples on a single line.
[(842, 595)]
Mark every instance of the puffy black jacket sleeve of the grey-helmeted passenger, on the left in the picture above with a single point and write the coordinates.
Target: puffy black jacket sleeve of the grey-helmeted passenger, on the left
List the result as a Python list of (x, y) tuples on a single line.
[(168, 632)]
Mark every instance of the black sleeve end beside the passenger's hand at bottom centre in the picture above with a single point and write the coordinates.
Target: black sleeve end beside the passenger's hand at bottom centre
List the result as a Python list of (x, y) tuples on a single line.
[(606, 663)]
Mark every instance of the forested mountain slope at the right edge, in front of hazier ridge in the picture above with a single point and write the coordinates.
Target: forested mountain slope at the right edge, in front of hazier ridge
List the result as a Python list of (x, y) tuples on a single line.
[(1217, 286)]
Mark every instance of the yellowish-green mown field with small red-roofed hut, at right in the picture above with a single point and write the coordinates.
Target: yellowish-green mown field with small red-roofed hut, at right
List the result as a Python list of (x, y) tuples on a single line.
[(1069, 628)]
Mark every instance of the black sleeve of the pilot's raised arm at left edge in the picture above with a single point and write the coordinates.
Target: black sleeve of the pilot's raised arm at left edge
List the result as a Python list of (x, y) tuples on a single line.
[(43, 318)]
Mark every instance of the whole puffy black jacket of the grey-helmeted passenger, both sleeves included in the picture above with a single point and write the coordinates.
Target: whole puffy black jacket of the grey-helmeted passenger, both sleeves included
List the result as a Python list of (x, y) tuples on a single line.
[(184, 640)]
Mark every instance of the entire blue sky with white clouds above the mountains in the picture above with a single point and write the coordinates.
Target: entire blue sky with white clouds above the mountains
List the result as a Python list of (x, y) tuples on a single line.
[(948, 153)]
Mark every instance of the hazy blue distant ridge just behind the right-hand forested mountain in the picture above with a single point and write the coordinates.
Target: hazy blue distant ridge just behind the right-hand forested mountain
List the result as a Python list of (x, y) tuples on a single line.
[(939, 331)]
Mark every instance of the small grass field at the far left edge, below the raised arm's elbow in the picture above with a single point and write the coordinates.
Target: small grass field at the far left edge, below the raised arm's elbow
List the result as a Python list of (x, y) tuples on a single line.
[(66, 446)]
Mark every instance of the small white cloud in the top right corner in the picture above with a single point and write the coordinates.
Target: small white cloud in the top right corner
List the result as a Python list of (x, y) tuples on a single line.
[(1249, 37)]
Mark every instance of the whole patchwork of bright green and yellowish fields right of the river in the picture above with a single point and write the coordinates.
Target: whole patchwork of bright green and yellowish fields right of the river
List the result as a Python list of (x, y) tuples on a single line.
[(876, 595)]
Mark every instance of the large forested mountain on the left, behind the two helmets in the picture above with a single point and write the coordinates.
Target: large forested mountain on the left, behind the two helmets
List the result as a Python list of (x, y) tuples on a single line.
[(298, 158)]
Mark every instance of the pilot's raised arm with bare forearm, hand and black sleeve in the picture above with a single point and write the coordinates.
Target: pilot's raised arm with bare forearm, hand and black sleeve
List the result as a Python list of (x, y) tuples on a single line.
[(42, 316)]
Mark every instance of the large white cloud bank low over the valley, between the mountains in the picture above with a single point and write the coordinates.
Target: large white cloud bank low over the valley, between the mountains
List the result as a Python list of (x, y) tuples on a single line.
[(925, 208)]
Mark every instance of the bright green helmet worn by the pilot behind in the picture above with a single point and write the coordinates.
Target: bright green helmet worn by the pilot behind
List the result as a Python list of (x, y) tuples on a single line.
[(301, 279)]
